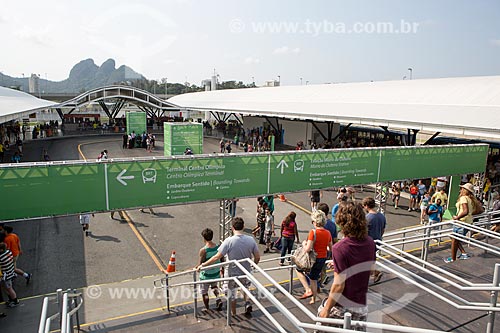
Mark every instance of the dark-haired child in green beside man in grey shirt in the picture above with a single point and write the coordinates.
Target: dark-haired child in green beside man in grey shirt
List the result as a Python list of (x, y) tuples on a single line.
[(207, 252)]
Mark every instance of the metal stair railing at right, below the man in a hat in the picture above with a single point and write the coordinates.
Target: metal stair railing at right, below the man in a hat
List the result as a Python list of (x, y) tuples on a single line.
[(424, 234)]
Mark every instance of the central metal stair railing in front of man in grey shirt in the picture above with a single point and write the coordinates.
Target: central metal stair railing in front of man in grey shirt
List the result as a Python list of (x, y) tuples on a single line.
[(344, 325)]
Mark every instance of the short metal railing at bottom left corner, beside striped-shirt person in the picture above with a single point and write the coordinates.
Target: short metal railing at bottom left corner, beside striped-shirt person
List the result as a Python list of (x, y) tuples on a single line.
[(69, 303)]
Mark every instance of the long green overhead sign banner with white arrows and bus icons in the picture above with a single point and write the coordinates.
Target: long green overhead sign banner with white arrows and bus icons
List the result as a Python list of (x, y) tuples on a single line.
[(36, 190)]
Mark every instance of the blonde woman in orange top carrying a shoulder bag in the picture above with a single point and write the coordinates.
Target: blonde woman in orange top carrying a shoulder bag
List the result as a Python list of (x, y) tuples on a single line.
[(318, 240)]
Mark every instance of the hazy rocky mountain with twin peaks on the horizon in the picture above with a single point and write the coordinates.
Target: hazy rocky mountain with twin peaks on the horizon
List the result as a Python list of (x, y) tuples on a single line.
[(83, 76)]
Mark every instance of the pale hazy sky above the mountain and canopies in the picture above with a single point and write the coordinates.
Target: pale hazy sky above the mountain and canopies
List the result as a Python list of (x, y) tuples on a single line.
[(187, 39)]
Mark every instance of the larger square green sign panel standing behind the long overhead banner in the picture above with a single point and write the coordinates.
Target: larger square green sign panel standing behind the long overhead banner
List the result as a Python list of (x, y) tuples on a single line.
[(179, 136)]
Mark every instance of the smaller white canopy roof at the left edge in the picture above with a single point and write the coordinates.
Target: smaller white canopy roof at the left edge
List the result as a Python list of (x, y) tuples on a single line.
[(16, 104)]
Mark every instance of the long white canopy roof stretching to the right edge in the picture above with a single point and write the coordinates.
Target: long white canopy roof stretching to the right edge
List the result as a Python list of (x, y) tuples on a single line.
[(459, 106)]
